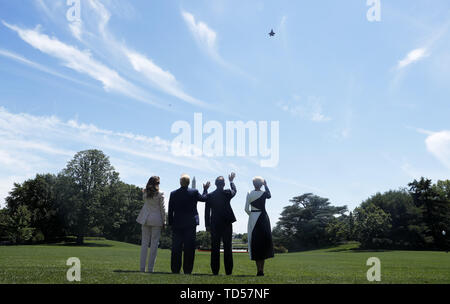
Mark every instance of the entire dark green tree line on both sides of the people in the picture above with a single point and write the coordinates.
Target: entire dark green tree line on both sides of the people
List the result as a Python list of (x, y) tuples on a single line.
[(87, 198)]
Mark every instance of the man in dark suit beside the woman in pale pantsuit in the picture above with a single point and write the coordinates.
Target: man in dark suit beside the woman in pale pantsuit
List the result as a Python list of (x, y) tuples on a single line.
[(183, 218)]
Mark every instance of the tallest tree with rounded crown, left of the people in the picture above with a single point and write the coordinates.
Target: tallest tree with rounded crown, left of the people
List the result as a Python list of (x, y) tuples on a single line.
[(91, 174)]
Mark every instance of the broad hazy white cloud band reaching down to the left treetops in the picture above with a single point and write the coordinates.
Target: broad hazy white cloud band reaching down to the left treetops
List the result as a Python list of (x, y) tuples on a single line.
[(43, 144)]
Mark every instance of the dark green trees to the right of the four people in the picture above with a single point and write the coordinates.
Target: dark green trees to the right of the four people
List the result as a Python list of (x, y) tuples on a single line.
[(417, 217)]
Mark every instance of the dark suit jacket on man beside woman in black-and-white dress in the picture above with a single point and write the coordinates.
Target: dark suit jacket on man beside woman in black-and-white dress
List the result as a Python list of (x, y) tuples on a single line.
[(218, 208)]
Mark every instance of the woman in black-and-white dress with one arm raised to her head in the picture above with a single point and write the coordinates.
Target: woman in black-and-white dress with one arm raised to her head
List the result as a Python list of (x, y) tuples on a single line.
[(260, 245)]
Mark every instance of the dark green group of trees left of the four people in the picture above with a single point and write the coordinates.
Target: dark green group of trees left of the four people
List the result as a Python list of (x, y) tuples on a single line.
[(87, 198)]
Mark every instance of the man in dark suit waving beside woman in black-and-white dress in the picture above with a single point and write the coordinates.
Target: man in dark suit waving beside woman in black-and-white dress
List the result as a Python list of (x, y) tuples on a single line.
[(219, 219)]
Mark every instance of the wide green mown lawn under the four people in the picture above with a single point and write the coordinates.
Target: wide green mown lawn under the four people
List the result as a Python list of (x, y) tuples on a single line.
[(115, 262)]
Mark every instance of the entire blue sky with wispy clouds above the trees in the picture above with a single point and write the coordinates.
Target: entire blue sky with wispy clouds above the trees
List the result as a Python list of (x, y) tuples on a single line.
[(362, 106)]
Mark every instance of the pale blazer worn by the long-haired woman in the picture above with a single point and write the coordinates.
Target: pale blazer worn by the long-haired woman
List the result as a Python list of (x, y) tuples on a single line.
[(153, 212)]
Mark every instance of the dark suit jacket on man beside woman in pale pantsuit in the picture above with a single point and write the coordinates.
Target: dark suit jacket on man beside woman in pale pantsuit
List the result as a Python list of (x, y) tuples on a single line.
[(183, 207)]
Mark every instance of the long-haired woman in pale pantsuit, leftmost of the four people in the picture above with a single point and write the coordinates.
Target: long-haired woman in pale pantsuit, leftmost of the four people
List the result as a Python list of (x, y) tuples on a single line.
[(152, 218)]
